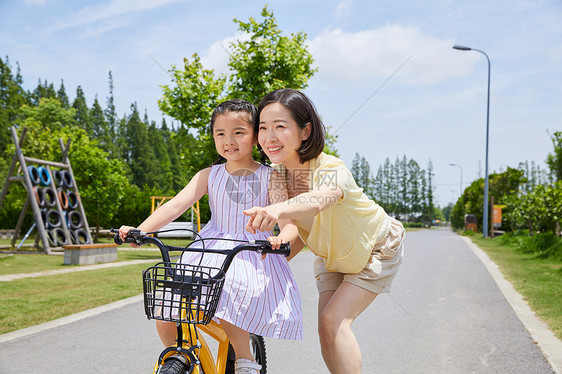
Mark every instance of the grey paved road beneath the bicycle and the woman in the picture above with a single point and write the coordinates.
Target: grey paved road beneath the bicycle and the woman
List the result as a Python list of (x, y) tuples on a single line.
[(446, 315)]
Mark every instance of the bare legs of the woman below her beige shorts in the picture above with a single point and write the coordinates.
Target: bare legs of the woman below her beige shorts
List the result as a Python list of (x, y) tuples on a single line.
[(336, 312)]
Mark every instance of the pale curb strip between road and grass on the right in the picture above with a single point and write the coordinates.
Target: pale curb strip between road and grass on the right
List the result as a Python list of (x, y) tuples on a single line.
[(548, 343)]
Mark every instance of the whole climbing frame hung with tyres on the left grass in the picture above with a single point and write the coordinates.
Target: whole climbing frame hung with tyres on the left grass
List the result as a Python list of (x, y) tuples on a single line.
[(53, 196)]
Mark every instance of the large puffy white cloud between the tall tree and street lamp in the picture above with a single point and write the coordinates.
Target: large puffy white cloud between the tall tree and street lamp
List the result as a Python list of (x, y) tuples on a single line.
[(377, 53)]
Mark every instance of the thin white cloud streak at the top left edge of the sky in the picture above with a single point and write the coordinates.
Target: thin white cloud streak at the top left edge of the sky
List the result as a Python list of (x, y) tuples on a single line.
[(112, 9)]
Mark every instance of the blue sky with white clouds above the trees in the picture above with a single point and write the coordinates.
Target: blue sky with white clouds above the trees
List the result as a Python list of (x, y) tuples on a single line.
[(433, 108)]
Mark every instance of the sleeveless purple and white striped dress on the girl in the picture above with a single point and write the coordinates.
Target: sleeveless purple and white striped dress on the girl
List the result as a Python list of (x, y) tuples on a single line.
[(259, 296)]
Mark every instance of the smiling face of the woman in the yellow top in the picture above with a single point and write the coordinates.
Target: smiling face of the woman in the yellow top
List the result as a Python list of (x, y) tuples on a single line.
[(280, 136)]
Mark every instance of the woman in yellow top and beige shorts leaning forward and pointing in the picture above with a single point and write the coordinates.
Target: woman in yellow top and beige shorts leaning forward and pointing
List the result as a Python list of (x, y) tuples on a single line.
[(359, 247)]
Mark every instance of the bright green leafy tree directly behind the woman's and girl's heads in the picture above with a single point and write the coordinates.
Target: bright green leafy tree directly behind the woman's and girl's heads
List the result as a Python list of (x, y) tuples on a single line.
[(267, 60)]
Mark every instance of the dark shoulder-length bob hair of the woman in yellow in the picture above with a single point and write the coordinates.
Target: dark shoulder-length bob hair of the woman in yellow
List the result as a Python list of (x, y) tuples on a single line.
[(302, 111)]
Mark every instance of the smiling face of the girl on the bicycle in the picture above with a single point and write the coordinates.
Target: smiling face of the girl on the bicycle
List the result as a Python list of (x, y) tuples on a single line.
[(234, 136)]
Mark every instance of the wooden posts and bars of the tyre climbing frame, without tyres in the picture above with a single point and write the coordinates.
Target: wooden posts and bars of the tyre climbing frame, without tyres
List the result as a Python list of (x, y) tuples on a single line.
[(31, 199)]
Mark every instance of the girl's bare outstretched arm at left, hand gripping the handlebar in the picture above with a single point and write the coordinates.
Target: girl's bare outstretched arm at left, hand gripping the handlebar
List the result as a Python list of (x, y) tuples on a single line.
[(174, 208)]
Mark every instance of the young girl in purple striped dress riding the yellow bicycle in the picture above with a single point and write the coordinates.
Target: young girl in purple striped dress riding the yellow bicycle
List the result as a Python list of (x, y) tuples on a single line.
[(260, 295)]
